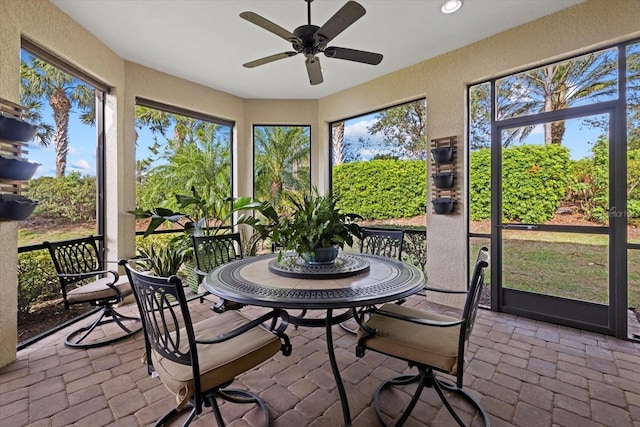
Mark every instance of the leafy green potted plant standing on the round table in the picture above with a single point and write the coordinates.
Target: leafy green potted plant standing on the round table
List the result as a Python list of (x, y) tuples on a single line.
[(316, 229)]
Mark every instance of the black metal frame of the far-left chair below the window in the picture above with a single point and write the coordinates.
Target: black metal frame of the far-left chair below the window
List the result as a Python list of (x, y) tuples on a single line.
[(77, 261)]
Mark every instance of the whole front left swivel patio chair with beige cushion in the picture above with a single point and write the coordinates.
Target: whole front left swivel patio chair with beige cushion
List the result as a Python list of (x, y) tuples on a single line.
[(198, 361)]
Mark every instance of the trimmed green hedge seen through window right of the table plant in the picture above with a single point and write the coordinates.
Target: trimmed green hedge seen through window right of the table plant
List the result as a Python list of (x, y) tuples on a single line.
[(382, 189)]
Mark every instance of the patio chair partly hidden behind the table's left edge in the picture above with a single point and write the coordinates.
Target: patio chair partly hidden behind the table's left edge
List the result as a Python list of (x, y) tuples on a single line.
[(210, 252)]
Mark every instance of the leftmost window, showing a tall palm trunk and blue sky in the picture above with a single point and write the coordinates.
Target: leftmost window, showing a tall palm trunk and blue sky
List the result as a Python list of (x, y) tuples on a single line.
[(67, 106)]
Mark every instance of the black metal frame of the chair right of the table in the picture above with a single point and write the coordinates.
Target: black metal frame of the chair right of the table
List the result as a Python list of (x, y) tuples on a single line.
[(427, 375)]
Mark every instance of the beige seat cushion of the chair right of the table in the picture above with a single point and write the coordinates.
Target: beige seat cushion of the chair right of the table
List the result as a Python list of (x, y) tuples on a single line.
[(430, 345)]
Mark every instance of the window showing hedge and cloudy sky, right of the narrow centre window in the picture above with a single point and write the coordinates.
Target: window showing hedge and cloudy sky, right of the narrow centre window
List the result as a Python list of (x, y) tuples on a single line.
[(378, 164)]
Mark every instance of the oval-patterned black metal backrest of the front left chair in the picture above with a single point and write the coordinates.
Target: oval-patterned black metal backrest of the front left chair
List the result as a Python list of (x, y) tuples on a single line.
[(165, 316)]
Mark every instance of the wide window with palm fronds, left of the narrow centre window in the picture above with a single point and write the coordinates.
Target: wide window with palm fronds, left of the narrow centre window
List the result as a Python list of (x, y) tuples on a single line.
[(180, 152)]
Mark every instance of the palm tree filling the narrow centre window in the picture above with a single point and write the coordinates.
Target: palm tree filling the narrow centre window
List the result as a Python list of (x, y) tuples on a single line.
[(281, 162)]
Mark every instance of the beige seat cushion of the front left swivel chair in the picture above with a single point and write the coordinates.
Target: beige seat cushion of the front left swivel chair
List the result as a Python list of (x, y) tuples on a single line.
[(221, 362)]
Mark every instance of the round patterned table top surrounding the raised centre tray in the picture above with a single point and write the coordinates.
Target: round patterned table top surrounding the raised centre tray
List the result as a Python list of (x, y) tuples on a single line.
[(250, 281)]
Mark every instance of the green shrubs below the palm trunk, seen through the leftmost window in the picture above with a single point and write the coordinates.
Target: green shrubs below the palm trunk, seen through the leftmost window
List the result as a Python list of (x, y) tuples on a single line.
[(72, 197)]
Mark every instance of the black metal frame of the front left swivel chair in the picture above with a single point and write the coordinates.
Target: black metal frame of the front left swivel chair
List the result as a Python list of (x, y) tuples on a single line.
[(162, 302)]
